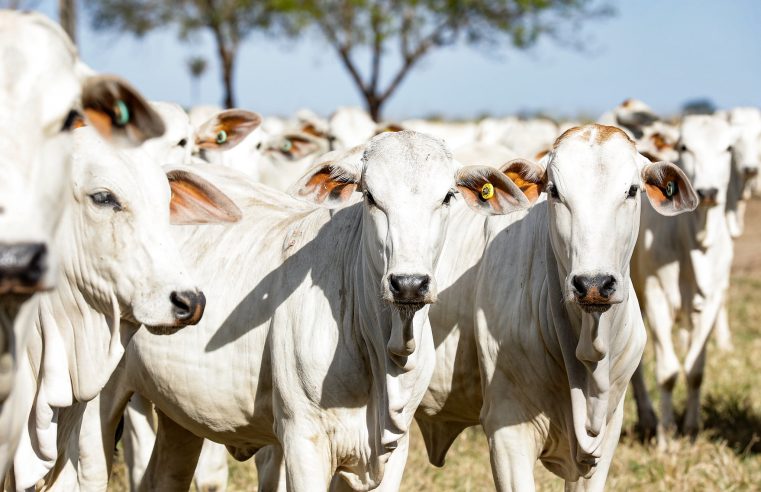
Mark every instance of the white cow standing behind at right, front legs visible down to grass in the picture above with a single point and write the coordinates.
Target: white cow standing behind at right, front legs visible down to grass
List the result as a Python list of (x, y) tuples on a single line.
[(681, 271)]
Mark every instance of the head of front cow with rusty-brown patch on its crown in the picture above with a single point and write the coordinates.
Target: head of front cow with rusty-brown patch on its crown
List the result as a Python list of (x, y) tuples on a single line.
[(593, 181)]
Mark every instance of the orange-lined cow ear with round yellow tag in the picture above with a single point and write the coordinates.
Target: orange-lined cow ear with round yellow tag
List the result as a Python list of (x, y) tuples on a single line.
[(488, 191)]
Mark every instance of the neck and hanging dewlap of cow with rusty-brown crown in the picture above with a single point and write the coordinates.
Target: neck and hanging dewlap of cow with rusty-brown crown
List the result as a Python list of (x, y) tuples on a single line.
[(587, 342)]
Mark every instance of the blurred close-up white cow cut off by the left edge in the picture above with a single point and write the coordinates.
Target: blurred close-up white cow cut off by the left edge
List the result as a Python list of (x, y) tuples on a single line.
[(44, 91)]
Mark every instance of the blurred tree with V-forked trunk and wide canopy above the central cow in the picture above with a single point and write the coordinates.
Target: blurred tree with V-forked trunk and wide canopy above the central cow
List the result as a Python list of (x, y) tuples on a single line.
[(414, 28)]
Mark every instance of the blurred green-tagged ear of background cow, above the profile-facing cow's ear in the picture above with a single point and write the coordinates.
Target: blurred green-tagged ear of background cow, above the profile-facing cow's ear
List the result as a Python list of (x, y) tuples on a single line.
[(227, 129)]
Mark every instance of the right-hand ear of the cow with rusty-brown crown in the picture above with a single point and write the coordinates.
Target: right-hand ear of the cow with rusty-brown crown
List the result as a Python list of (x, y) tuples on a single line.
[(668, 188)]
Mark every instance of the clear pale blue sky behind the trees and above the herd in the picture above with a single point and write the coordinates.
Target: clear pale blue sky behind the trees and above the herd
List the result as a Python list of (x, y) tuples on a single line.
[(664, 52)]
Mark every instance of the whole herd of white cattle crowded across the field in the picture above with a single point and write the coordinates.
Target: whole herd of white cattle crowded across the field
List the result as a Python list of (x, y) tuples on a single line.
[(344, 278)]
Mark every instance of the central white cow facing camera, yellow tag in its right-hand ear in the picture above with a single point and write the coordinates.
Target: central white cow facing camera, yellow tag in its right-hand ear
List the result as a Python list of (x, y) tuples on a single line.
[(323, 344)]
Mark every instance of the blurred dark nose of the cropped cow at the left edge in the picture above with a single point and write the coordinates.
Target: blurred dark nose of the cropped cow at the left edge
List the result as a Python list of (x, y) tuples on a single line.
[(22, 267)]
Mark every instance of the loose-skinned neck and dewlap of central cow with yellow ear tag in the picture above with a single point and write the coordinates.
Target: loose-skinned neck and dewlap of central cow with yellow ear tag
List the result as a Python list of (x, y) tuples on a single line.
[(395, 379)]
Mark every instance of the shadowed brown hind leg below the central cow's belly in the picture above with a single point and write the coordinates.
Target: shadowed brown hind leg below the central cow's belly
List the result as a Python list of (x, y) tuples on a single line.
[(174, 457)]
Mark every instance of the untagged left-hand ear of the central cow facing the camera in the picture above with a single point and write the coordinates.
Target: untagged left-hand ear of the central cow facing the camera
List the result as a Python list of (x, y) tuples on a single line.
[(329, 183)]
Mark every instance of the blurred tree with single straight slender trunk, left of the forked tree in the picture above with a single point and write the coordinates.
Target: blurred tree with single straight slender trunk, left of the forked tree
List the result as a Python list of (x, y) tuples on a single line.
[(228, 21)]
